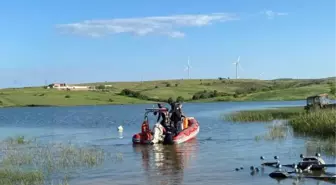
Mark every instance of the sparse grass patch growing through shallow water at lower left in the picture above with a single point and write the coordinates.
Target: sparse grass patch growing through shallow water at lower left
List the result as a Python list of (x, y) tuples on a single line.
[(31, 163)]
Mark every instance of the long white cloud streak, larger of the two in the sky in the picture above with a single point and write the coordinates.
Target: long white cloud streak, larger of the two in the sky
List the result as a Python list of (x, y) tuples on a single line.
[(162, 25)]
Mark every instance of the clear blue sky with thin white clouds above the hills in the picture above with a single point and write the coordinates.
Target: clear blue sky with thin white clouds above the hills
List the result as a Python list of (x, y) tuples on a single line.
[(131, 40)]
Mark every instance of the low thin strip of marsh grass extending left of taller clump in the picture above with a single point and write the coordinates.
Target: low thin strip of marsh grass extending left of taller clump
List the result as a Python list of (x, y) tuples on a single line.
[(264, 115)]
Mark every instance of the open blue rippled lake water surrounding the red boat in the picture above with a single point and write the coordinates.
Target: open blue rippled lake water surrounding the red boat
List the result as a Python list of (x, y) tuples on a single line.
[(210, 159)]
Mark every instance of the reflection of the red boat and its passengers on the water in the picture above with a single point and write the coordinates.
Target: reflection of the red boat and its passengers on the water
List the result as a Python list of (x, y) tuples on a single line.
[(166, 164)]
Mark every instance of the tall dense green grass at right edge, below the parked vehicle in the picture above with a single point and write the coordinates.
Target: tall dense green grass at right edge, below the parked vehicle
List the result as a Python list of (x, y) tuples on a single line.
[(319, 123)]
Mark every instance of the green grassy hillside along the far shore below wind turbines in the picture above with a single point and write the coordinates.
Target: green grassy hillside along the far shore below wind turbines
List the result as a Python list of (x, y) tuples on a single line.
[(198, 90)]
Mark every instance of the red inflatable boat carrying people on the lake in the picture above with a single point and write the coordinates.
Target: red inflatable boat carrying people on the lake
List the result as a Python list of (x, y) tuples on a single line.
[(190, 131)]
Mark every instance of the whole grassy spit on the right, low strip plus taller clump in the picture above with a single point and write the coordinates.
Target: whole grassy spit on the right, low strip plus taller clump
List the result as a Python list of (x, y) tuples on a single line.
[(320, 123)]
